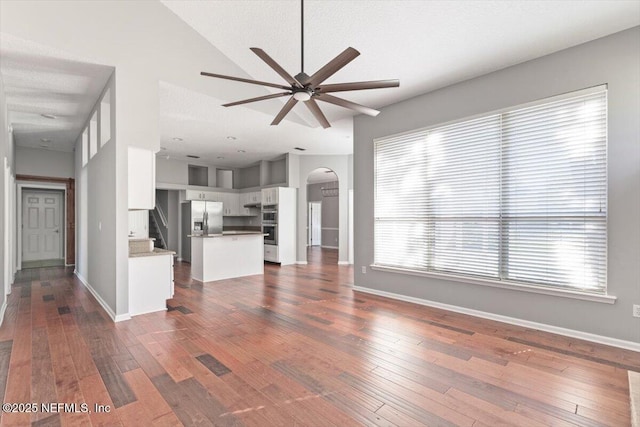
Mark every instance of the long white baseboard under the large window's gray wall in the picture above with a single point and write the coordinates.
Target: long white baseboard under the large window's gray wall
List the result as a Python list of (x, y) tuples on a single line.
[(600, 339)]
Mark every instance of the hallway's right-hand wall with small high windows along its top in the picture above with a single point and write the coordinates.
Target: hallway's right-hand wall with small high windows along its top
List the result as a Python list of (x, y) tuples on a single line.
[(99, 221)]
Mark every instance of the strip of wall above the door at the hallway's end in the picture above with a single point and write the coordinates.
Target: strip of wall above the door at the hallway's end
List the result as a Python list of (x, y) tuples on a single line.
[(40, 162)]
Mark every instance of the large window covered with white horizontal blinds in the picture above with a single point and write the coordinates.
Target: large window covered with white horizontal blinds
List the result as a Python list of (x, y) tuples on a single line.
[(517, 196)]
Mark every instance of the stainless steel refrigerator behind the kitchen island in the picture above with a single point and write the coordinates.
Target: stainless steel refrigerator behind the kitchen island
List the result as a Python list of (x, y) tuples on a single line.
[(199, 218)]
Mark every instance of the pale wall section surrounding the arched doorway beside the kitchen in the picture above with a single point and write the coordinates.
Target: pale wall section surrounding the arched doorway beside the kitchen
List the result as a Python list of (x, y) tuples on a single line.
[(340, 165)]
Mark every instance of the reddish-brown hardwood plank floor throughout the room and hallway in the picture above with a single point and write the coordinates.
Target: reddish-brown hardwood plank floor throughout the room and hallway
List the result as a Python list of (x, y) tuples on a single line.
[(295, 347)]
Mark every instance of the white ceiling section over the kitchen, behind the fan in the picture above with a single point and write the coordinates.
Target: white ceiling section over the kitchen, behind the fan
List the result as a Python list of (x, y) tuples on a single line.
[(204, 127)]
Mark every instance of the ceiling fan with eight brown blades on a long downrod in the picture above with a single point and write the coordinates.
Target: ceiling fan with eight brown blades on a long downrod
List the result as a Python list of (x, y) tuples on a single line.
[(307, 88)]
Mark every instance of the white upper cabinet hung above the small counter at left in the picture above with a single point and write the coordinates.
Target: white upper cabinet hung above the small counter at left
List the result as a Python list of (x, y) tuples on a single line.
[(142, 178)]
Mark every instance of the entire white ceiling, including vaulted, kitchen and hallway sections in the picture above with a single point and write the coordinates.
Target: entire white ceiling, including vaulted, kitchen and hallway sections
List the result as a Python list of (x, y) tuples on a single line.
[(424, 44)]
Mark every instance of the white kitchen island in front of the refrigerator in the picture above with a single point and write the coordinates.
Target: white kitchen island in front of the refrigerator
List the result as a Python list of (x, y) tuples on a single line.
[(227, 255)]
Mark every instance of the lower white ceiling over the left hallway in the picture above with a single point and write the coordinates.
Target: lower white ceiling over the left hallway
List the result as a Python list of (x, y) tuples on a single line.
[(38, 81)]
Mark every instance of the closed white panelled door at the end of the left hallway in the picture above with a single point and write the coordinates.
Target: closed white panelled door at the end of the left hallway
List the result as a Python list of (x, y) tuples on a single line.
[(41, 225)]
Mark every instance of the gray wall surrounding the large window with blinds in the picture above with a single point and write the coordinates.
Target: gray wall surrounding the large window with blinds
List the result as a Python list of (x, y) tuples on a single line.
[(612, 60)]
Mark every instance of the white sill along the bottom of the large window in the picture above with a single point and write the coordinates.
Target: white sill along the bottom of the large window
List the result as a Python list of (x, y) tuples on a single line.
[(565, 293)]
